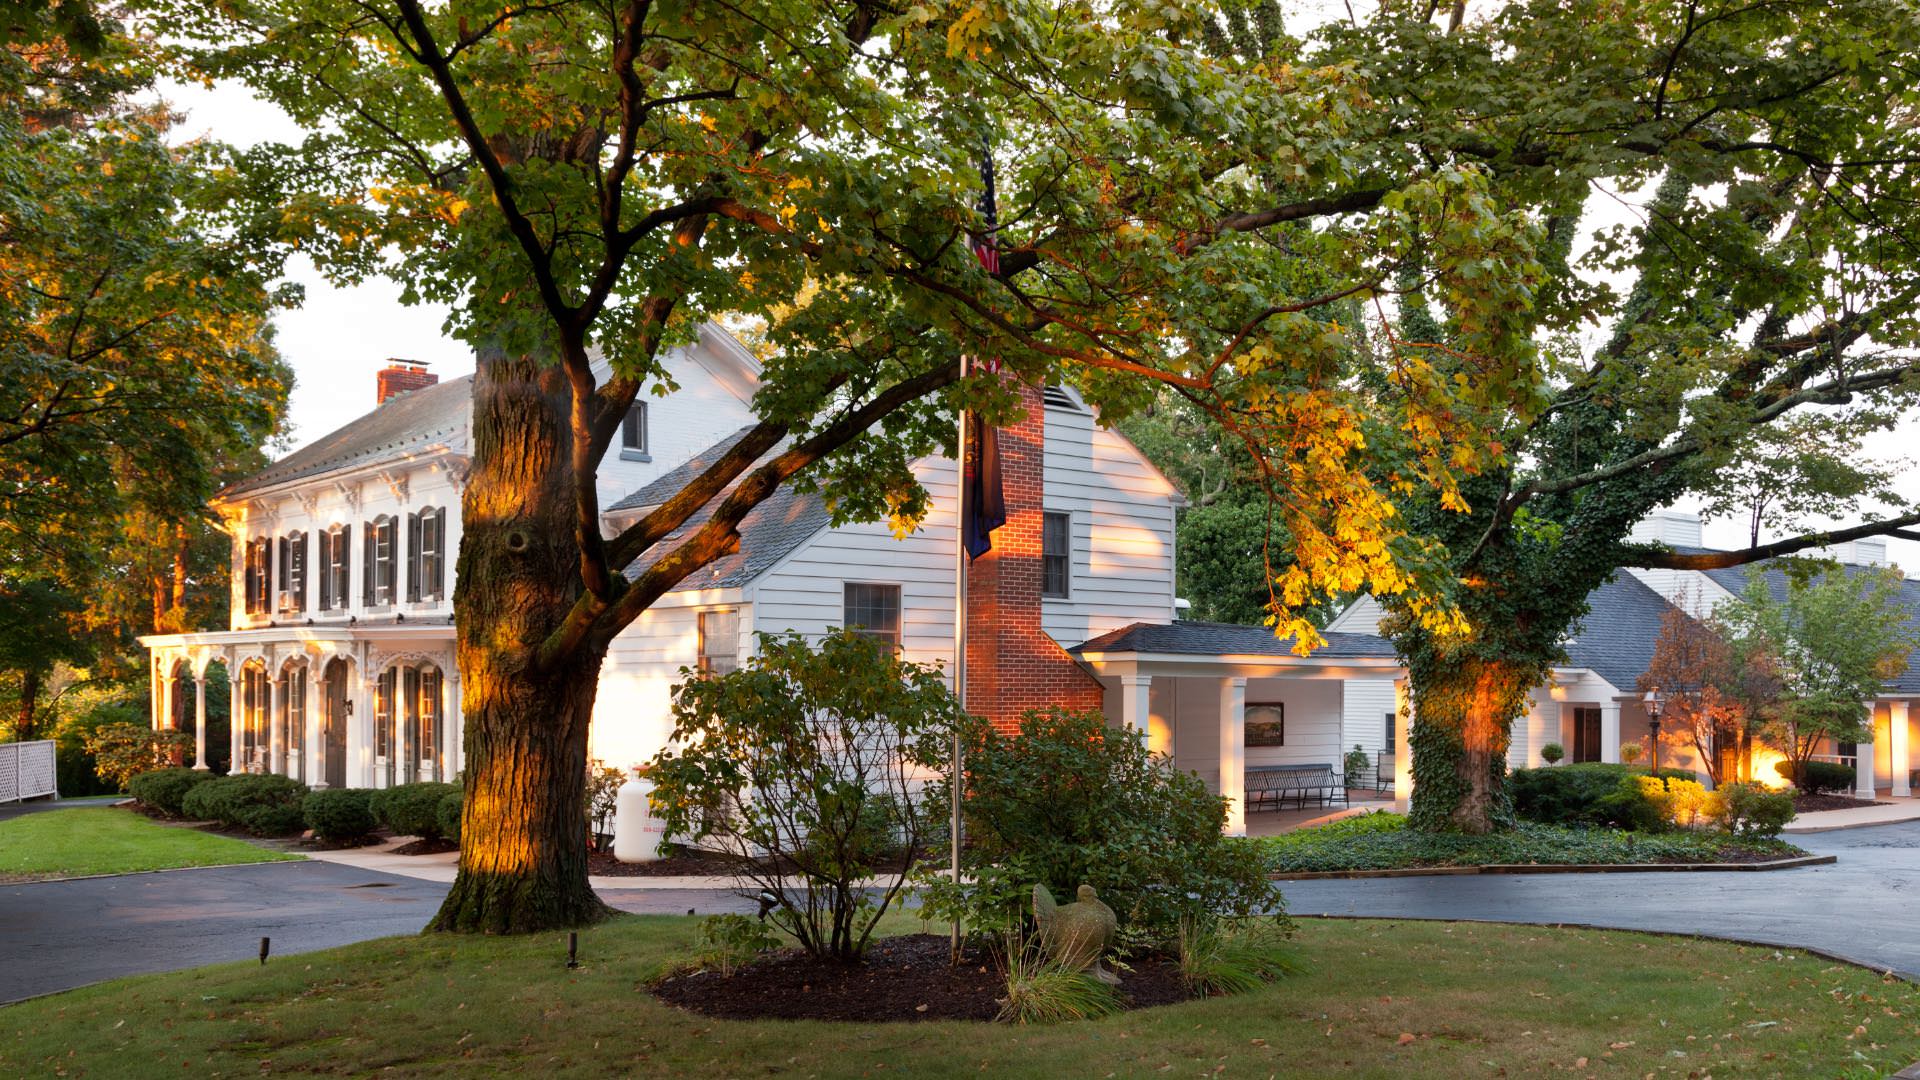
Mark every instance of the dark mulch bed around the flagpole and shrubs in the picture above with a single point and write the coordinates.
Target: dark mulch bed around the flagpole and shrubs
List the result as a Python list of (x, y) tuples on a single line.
[(903, 979)]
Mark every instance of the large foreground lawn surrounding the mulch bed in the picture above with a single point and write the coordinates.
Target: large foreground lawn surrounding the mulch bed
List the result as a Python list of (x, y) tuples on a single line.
[(1385, 1000)]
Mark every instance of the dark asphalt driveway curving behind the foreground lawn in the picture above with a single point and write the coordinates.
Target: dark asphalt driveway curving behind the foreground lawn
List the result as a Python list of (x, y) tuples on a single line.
[(64, 935)]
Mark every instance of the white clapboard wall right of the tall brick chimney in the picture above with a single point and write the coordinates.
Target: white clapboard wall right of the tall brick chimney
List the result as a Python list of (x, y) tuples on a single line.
[(1122, 528)]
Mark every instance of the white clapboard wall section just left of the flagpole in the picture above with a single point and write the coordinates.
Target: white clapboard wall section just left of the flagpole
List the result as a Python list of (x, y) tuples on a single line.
[(805, 593)]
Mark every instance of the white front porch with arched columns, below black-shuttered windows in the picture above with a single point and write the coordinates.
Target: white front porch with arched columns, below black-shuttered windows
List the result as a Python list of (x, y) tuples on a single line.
[(329, 706)]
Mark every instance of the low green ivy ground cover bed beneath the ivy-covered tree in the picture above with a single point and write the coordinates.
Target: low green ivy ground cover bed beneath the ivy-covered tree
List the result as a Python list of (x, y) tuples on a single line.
[(1383, 843)]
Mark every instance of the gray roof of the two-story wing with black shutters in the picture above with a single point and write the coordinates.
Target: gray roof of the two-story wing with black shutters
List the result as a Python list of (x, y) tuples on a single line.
[(402, 426)]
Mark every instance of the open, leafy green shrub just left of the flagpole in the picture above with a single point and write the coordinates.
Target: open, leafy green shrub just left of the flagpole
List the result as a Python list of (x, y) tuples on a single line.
[(805, 768)]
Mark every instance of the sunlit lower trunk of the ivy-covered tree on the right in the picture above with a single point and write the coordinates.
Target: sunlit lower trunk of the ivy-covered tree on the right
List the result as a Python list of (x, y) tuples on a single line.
[(1464, 712)]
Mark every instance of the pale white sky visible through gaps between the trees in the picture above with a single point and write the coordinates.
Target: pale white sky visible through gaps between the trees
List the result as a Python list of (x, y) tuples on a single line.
[(341, 337)]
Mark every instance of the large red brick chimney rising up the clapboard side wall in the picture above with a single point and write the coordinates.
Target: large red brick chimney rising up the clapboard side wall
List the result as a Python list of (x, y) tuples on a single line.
[(1011, 662)]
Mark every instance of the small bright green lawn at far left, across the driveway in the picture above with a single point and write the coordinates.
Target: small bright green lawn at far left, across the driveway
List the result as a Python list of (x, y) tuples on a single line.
[(107, 841)]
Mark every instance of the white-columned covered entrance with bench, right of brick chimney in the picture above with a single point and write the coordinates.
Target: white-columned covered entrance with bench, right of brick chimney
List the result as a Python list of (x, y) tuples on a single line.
[(1232, 702)]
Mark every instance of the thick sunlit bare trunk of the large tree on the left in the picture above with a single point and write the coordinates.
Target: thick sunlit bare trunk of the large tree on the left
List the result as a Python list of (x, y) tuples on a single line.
[(525, 827)]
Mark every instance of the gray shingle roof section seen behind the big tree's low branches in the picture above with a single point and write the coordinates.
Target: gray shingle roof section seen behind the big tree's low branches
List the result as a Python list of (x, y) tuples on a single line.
[(767, 535)]
